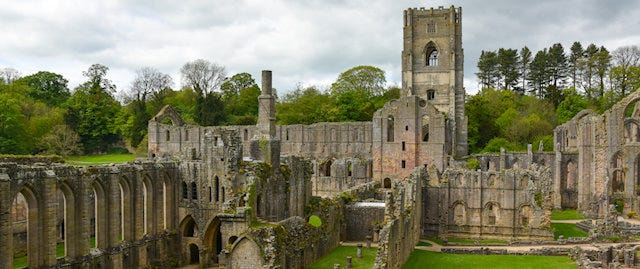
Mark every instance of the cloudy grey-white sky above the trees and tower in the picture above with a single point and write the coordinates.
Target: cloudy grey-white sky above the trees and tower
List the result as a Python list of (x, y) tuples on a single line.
[(302, 42)]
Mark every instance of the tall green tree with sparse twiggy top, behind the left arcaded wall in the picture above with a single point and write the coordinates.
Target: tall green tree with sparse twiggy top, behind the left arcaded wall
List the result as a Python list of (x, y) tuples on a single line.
[(92, 111)]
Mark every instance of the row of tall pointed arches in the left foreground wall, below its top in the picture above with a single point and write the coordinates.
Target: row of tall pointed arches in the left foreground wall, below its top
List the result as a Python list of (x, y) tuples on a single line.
[(84, 212)]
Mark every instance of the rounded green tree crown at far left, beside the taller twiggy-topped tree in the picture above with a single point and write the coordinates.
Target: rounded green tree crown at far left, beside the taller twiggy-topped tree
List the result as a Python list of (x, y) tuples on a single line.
[(49, 88)]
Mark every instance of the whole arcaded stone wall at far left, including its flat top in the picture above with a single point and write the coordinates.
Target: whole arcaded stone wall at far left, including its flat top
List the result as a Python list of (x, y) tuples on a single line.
[(131, 202)]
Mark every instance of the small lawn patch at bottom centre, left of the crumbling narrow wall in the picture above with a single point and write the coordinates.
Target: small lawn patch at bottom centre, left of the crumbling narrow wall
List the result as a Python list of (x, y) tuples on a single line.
[(339, 254)]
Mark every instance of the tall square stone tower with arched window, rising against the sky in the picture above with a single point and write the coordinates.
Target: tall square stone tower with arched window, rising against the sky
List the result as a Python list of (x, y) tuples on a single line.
[(432, 65)]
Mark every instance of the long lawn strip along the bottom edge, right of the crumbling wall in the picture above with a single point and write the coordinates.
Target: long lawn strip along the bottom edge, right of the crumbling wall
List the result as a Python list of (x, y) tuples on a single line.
[(428, 259)]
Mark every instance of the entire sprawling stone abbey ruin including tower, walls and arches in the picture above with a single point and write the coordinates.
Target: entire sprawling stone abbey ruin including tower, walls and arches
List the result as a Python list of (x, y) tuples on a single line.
[(242, 196)]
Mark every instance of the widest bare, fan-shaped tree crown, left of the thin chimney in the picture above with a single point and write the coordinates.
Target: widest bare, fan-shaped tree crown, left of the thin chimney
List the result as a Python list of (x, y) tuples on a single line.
[(203, 76)]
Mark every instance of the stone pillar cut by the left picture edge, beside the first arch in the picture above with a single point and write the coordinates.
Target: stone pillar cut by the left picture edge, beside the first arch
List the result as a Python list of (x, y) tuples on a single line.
[(6, 221)]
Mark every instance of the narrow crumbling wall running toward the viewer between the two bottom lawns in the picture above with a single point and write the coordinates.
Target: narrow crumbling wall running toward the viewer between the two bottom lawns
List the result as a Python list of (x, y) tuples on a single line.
[(401, 230)]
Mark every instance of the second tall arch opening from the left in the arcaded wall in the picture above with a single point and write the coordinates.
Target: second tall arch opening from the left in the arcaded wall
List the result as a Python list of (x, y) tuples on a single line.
[(71, 221)]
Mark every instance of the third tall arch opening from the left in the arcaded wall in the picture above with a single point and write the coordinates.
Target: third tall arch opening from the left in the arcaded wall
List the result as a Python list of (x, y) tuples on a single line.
[(100, 214)]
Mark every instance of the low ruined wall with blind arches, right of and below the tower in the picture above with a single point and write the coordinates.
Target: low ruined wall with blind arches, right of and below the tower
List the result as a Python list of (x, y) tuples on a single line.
[(491, 204)]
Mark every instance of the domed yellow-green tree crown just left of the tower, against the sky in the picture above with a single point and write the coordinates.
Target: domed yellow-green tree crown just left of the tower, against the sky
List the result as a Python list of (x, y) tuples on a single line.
[(366, 80)]
